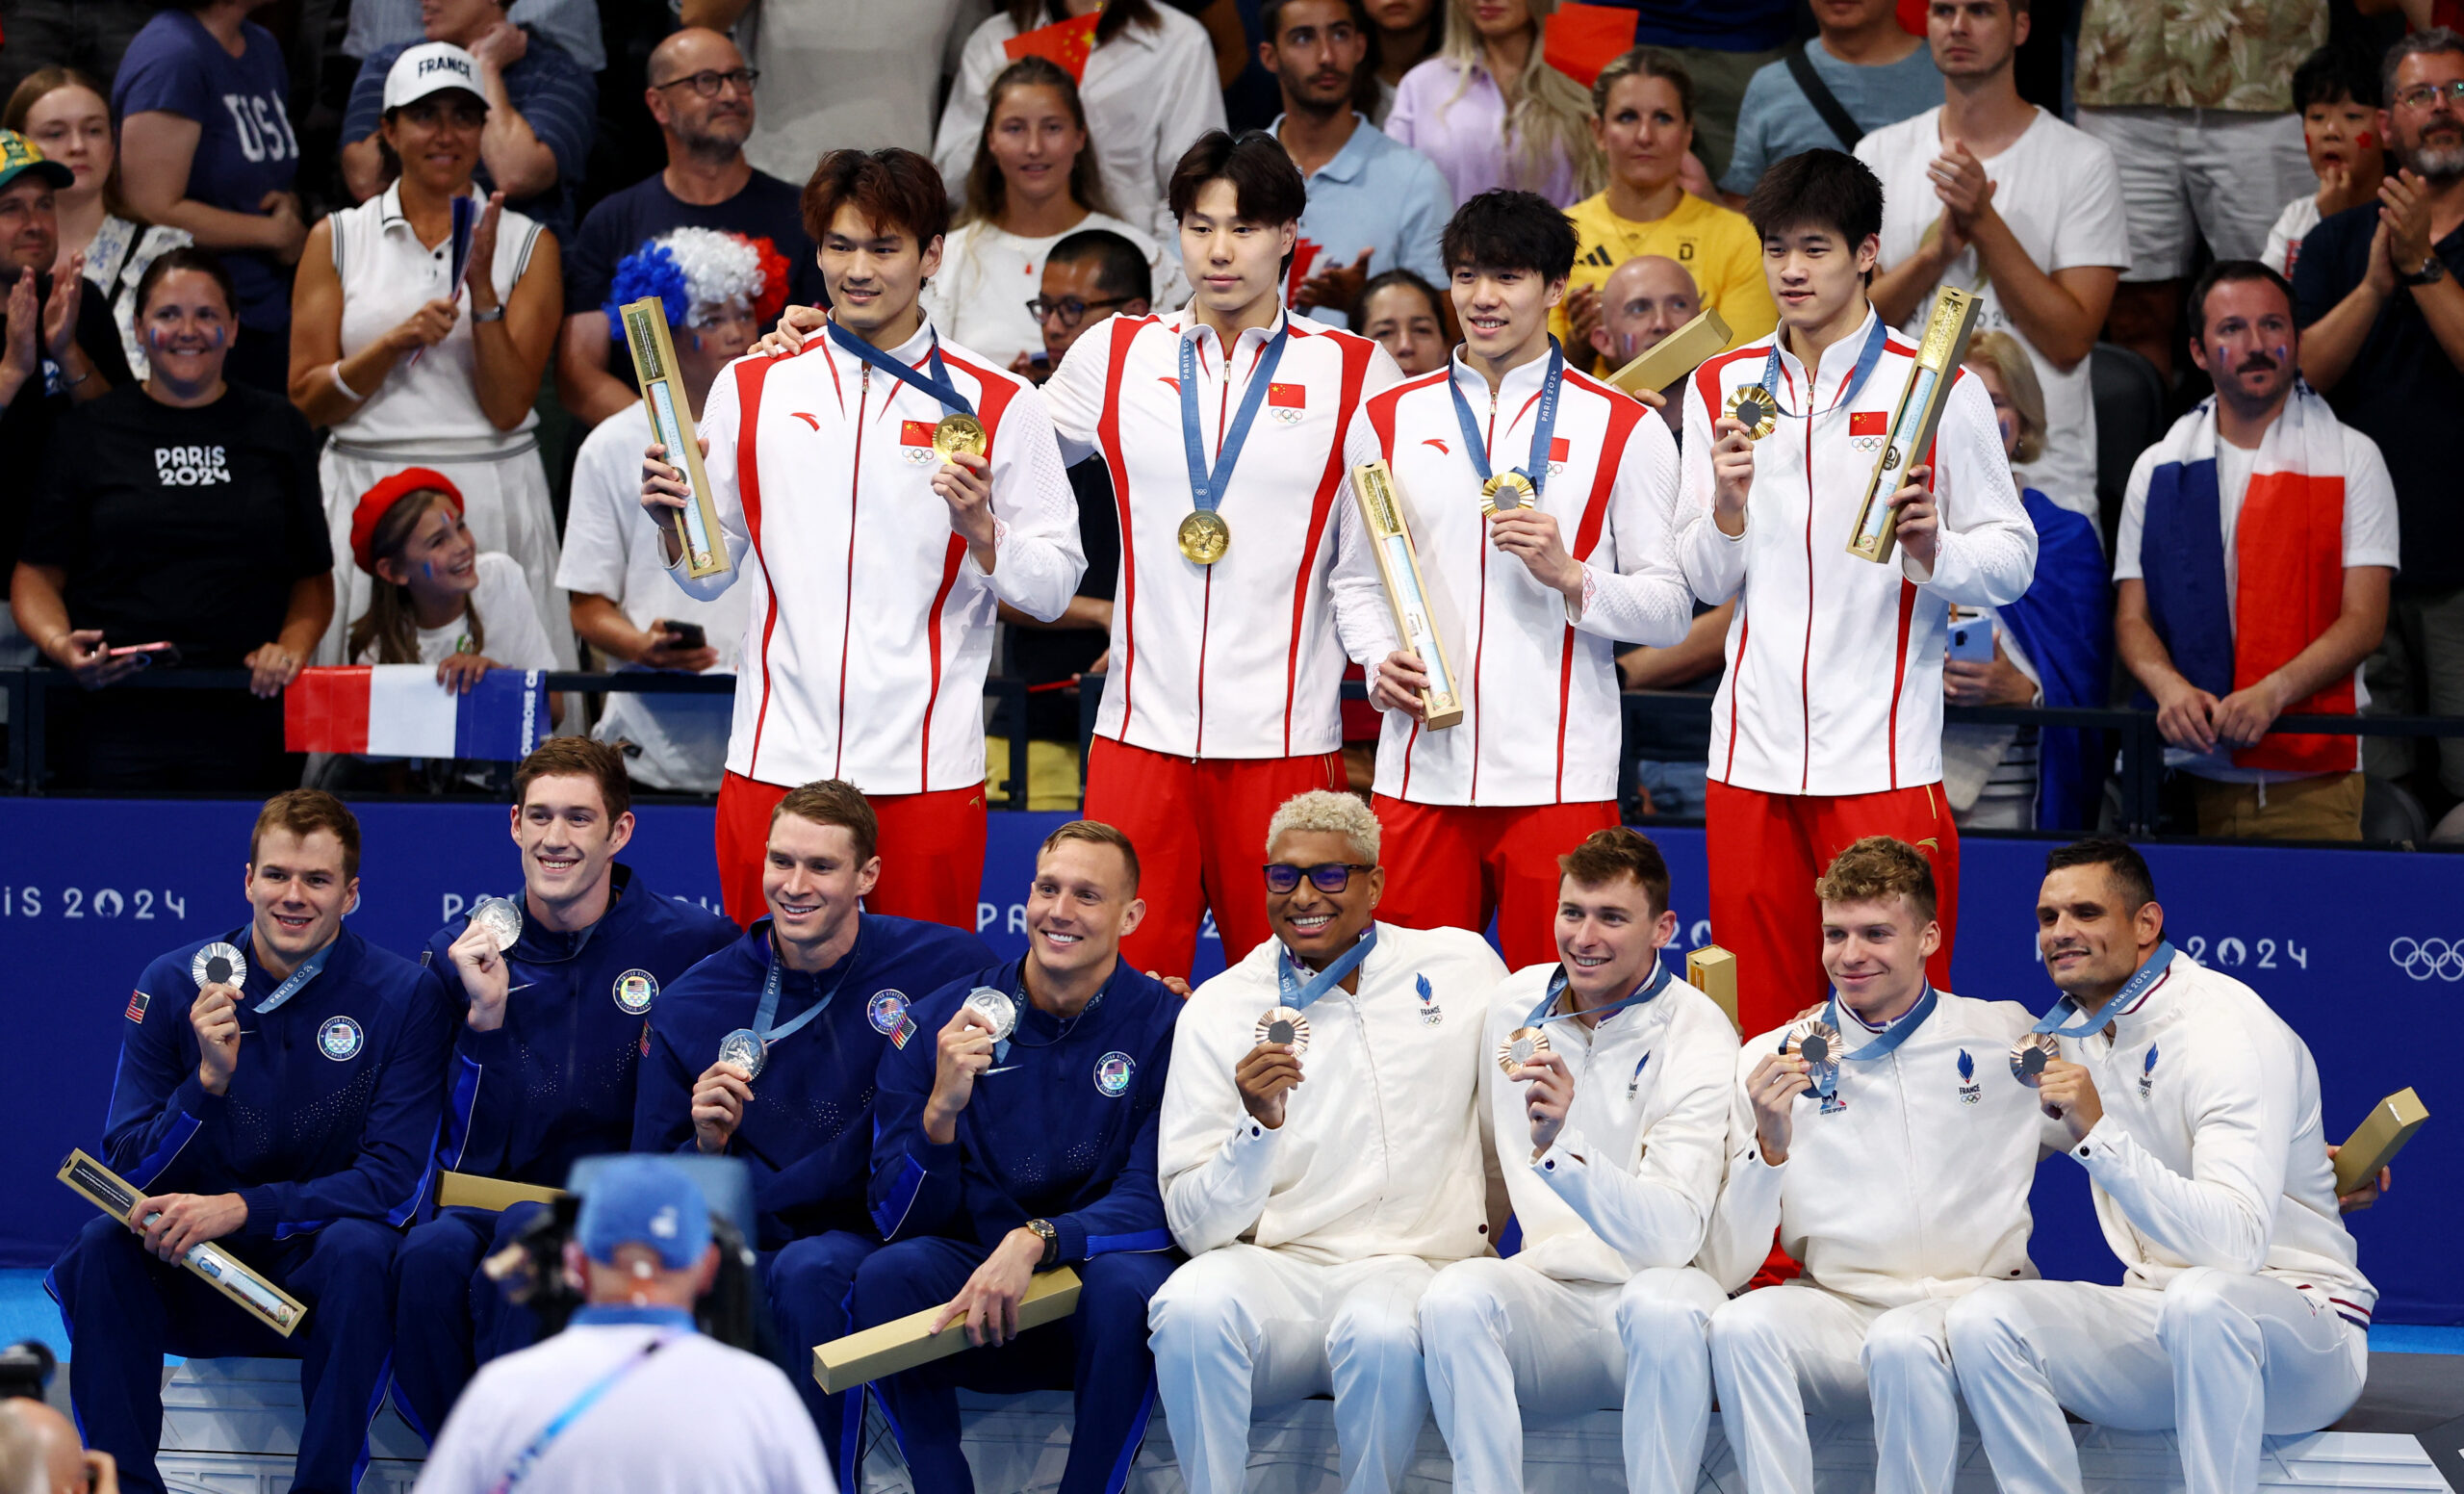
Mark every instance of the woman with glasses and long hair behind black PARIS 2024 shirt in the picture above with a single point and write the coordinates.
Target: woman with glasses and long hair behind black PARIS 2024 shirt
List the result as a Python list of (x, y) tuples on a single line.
[(68, 117)]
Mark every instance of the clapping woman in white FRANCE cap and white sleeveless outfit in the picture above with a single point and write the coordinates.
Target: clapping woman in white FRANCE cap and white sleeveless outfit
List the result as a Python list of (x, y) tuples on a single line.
[(410, 366)]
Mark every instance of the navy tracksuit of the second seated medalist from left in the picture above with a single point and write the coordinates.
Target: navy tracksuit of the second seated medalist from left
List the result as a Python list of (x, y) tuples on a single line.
[(524, 1103)]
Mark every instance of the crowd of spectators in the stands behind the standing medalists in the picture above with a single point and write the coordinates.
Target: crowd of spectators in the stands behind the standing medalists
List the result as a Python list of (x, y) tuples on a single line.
[(201, 226)]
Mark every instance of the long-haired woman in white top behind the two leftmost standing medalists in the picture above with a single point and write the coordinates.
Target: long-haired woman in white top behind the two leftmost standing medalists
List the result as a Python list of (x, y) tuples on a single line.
[(1031, 186)]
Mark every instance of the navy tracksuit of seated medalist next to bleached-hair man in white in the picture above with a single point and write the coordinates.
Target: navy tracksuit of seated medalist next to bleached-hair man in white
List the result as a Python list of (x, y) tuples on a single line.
[(1063, 1130)]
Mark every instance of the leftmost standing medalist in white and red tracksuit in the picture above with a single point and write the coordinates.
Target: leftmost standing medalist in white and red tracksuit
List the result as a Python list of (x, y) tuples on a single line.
[(873, 561)]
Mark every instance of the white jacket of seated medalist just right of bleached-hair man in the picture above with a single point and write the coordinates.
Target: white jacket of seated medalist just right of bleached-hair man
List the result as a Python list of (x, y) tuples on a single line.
[(1635, 1172)]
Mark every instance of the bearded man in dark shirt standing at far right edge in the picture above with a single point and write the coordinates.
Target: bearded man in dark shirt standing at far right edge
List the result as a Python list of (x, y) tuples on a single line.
[(2384, 339)]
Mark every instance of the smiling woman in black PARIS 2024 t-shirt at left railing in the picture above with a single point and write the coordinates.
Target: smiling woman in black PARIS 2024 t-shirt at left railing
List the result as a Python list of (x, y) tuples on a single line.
[(184, 526)]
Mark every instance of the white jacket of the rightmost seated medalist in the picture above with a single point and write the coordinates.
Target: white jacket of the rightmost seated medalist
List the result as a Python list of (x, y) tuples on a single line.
[(2211, 1148)]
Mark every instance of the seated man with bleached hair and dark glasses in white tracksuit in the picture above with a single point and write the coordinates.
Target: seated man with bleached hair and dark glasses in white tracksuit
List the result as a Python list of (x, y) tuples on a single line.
[(1322, 1160)]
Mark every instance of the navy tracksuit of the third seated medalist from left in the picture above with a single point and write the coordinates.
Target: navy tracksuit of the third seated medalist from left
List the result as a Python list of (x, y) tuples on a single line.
[(809, 1130)]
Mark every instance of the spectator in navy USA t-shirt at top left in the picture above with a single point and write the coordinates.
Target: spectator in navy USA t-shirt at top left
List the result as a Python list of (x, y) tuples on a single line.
[(208, 149)]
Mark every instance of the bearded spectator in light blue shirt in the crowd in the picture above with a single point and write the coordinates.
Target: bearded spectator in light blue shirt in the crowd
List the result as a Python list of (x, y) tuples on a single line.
[(1374, 203)]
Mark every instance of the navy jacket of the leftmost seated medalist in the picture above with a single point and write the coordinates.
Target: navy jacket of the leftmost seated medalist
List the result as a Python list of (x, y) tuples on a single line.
[(331, 1111)]
